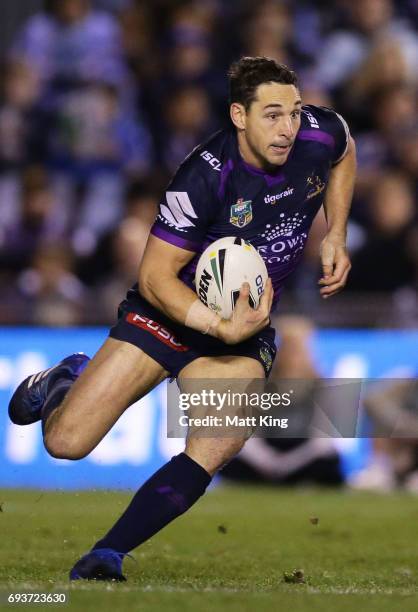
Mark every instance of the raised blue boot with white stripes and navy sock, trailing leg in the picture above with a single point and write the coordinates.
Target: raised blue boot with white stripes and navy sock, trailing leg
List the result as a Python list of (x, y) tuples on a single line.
[(27, 401)]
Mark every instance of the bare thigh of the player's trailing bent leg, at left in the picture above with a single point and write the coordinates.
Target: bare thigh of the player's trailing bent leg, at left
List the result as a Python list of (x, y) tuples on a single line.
[(117, 376)]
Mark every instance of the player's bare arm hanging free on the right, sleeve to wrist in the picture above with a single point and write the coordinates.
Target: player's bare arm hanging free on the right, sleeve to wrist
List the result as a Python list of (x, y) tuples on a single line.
[(339, 194)]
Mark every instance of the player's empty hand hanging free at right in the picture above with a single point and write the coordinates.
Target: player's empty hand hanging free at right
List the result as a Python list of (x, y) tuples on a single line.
[(335, 266)]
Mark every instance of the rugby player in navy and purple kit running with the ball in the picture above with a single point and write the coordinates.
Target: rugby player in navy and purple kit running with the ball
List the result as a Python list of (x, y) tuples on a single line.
[(264, 180)]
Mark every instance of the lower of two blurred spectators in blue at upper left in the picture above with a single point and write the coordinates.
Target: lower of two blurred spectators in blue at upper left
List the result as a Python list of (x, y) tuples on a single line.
[(93, 149)]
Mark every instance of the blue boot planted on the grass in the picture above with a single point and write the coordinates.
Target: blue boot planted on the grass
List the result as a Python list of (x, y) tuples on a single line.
[(99, 564)]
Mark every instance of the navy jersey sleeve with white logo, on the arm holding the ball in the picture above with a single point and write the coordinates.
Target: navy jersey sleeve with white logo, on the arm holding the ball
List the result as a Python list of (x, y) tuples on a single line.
[(184, 213)]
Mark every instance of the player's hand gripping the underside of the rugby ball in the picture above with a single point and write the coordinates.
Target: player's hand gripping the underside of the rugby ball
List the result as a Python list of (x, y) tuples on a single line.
[(246, 321)]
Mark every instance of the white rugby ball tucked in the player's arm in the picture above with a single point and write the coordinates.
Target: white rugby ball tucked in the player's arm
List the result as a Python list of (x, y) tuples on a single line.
[(221, 270)]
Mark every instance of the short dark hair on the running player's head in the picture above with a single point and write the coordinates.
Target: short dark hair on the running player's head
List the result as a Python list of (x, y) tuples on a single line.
[(248, 73)]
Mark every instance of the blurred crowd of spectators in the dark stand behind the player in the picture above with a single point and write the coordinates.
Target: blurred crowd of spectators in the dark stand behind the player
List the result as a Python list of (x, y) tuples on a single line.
[(102, 99)]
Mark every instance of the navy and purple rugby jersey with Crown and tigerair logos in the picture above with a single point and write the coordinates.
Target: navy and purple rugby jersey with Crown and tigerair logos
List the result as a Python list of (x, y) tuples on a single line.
[(215, 193)]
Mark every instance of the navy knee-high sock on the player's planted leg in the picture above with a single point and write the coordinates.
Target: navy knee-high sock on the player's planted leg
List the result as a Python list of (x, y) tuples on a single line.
[(169, 492)]
